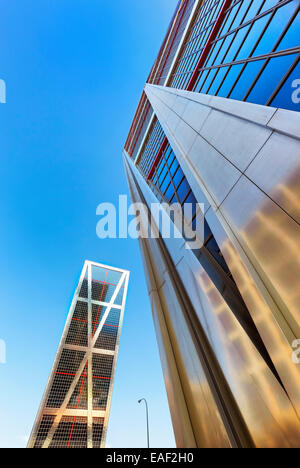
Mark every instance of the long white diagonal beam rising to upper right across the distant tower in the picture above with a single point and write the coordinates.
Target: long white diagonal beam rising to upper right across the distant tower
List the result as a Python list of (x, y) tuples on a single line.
[(87, 355)]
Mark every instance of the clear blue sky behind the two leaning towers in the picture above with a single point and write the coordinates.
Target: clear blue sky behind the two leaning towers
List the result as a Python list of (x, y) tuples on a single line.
[(74, 71)]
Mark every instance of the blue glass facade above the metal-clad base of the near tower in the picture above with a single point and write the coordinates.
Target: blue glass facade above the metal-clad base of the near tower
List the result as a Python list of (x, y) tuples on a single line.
[(253, 55)]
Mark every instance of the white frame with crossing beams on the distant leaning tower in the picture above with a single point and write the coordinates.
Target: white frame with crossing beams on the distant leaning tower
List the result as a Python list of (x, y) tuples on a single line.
[(89, 350)]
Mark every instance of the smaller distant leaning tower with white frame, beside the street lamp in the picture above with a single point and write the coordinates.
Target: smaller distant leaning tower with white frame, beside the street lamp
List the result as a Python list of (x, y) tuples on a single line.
[(75, 407)]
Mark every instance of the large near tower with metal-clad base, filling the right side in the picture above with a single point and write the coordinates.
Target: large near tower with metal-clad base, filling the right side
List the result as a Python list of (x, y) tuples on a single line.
[(218, 122)]
